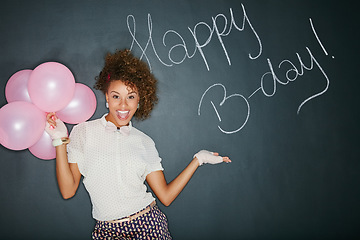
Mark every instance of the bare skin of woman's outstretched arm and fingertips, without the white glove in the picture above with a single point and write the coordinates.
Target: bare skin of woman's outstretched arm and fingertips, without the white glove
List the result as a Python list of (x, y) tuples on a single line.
[(167, 192)]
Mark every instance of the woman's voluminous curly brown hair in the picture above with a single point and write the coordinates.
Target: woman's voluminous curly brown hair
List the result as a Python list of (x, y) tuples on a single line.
[(124, 66)]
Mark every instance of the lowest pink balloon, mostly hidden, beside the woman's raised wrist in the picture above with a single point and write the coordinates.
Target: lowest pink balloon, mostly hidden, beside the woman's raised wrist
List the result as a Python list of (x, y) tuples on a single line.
[(43, 148)]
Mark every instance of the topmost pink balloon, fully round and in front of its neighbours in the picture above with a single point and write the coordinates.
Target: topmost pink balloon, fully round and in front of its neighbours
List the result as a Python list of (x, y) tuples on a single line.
[(51, 86)]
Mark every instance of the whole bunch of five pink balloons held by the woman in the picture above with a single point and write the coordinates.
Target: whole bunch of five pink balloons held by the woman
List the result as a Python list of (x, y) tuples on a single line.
[(31, 94)]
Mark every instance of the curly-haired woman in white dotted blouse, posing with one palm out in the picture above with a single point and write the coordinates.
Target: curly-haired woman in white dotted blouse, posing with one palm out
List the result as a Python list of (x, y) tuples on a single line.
[(115, 158)]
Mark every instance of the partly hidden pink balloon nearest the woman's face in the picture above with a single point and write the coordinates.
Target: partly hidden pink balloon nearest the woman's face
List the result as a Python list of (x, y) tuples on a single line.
[(81, 107)]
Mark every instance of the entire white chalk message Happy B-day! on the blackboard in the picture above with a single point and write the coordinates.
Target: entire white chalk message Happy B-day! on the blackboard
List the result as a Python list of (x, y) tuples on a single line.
[(220, 28)]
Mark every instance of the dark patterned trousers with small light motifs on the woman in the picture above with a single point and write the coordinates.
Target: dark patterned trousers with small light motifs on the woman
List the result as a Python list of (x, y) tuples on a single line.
[(151, 225)]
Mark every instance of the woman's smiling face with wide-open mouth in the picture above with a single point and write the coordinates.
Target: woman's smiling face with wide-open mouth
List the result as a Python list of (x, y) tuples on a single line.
[(123, 102)]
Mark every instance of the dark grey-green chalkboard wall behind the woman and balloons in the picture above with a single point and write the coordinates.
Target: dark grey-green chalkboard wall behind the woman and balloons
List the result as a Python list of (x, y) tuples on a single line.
[(272, 84)]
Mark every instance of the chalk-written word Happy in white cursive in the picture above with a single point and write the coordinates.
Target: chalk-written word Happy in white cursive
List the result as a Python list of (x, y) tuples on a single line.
[(220, 31)]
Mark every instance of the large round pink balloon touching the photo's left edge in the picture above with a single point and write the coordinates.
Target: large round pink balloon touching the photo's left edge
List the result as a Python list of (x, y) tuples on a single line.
[(21, 125)]
